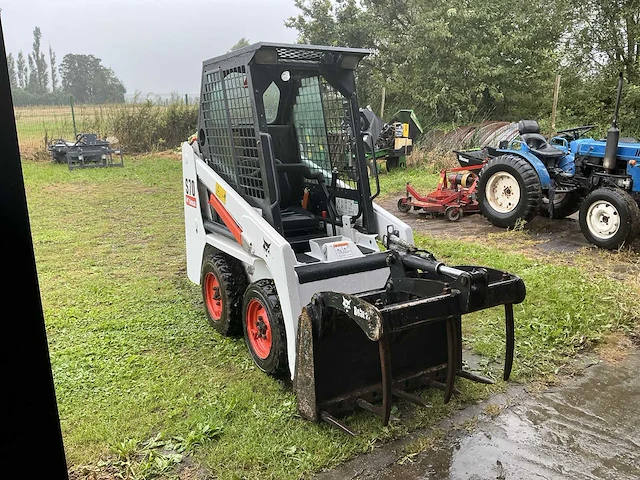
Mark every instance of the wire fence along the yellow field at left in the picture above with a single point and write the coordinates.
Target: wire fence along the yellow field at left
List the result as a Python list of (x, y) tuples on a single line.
[(38, 126)]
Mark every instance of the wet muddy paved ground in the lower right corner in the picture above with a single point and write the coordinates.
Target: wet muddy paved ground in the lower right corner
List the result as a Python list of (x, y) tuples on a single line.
[(586, 429)]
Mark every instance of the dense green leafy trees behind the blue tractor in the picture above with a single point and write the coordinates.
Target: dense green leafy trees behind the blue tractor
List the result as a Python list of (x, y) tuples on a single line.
[(463, 61)]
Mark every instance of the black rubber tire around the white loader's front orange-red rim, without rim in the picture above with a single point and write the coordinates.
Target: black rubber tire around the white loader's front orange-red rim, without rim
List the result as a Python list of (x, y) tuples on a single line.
[(276, 362)]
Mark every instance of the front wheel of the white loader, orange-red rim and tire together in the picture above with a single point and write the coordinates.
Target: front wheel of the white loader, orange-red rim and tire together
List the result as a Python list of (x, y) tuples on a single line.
[(263, 326)]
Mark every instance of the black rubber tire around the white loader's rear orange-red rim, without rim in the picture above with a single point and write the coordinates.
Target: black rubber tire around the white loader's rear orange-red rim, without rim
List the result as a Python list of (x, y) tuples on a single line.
[(232, 284)]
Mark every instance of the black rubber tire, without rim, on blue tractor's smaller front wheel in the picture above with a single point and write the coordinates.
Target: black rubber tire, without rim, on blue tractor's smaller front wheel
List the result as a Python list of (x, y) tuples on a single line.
[(626, 207)]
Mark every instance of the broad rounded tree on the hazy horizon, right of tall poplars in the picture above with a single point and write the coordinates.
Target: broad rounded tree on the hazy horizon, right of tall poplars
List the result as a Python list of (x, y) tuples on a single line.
[(84, 77)]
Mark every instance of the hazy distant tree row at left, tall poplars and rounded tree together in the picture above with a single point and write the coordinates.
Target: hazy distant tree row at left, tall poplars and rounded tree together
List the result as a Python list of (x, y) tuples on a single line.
[(36, 82)]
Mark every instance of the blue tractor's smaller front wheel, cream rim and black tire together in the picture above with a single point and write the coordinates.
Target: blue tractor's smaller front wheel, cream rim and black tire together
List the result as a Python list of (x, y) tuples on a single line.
[(609, 218)]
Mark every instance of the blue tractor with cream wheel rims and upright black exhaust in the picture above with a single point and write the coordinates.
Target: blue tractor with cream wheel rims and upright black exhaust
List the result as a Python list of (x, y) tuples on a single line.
[(568, 173)]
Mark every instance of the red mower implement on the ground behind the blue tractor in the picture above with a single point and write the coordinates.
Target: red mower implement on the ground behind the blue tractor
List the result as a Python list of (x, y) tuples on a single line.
[(454, 196)]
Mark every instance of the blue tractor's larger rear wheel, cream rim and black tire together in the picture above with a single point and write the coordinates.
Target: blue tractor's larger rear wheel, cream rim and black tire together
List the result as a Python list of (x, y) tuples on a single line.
[(509, 190)]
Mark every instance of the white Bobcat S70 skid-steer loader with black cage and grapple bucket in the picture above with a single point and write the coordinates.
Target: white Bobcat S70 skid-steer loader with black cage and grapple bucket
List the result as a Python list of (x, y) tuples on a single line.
[(289, 248)]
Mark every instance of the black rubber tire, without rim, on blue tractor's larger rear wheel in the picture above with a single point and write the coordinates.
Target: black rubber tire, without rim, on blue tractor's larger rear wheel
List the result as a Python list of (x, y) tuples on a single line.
[(528, 205)]
